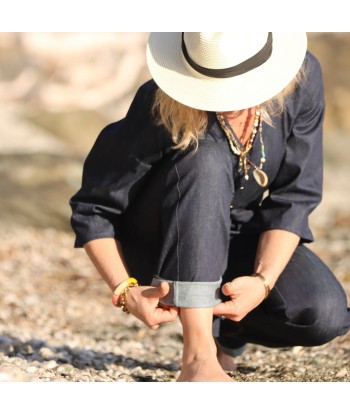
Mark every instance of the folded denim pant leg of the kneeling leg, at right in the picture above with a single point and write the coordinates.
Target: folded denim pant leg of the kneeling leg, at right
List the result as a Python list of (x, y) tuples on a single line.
[(307, 306)]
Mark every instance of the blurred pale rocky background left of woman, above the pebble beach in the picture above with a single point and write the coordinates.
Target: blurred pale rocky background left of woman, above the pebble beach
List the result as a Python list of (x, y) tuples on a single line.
[(57, 91)]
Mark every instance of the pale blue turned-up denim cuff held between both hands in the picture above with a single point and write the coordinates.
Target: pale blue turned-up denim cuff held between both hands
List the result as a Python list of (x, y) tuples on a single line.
[(190, 294)]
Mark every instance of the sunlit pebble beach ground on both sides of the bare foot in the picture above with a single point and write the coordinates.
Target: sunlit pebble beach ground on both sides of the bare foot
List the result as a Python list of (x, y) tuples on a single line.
[(57, 324)]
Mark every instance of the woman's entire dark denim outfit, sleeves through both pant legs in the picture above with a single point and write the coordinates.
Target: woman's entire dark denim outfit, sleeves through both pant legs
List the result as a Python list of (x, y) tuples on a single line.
[(192, 219)]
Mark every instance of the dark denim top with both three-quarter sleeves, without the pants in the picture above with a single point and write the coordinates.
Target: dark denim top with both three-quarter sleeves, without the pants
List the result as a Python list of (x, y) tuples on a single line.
[(129, 152)]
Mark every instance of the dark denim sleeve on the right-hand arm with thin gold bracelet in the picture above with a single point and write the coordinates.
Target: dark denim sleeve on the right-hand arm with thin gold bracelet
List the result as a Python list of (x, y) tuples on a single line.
[(297, 188)]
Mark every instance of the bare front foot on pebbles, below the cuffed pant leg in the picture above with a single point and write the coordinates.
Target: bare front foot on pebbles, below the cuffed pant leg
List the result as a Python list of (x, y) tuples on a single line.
[(203, 370)]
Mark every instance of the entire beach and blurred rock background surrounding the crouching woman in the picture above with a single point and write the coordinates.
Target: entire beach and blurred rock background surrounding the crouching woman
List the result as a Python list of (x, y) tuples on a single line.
[(57, 91)]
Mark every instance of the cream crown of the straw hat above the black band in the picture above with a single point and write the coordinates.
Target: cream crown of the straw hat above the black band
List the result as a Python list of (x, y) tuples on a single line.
[(220, 50)]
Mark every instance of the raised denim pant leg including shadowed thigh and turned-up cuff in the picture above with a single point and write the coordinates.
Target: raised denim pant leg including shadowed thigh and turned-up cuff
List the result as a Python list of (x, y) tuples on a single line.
[(178, 228)]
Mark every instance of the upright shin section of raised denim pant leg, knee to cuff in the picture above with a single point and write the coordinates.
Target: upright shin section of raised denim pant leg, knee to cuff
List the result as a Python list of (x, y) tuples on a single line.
[(196, 225)]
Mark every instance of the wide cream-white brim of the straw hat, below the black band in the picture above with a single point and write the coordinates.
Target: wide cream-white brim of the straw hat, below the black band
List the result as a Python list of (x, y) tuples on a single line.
[(180, 81)]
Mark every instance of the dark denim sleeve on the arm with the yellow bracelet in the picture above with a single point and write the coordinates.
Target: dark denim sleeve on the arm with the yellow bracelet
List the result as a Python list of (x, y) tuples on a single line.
[(115, 169)]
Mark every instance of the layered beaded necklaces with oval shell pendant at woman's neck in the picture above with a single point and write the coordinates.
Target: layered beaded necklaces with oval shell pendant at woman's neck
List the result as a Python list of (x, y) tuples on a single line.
[(242, 151)]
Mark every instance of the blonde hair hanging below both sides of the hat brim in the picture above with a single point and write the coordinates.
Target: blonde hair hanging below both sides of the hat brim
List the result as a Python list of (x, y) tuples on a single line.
[(187, 125)]
